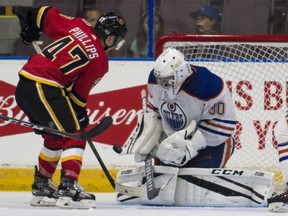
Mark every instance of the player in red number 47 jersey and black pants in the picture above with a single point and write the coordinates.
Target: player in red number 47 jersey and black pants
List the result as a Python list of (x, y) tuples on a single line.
[(53, 90)]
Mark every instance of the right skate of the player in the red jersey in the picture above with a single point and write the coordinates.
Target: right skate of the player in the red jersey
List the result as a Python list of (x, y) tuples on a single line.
[(72, 195)]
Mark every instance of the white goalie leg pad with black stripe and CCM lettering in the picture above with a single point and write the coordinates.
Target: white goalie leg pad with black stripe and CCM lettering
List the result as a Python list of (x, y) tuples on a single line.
[(223, 187)]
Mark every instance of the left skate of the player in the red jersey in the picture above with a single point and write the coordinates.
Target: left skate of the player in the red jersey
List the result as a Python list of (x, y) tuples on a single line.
[(44, 191)]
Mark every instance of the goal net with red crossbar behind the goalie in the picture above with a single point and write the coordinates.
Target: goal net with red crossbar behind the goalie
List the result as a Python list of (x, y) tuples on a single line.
[(255, 70)]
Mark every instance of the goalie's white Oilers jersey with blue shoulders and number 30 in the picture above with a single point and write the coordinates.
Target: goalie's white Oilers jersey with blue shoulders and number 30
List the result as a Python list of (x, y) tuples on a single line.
[(203, 97)]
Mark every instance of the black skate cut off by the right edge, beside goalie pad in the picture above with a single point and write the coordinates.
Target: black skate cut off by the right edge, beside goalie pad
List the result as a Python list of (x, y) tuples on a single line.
[(278, 202)]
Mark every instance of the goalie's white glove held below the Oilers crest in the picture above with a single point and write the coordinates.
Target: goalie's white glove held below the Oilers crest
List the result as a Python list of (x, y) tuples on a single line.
[(182, 146)]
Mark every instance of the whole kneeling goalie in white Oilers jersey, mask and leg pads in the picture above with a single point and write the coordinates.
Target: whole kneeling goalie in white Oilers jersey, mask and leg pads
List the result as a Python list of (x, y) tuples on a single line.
[(188, 125)]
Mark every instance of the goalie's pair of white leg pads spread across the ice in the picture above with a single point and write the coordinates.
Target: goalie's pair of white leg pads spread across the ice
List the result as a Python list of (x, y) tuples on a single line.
[(213, 187)]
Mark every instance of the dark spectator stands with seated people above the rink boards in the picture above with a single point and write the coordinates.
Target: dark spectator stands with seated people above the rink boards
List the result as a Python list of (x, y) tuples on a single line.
[(197, 17)]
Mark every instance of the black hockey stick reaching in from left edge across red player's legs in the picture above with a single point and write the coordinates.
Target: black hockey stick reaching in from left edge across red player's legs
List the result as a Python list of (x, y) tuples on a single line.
[(98, 129)]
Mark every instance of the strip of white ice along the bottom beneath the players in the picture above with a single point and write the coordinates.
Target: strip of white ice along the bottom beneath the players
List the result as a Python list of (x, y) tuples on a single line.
[(17, 204)]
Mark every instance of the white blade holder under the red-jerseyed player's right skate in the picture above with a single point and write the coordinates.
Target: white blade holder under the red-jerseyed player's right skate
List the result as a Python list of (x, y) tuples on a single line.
[(67, 202)]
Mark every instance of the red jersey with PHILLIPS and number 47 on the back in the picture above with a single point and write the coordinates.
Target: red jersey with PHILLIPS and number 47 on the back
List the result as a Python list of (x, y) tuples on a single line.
[(76, 59)]
